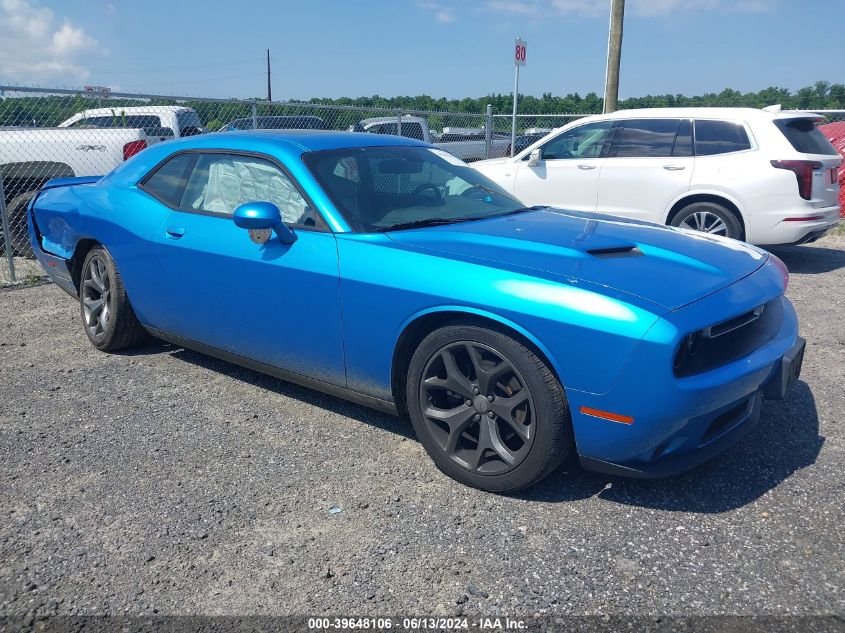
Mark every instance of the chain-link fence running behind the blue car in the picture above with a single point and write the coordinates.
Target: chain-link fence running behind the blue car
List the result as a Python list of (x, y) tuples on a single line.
[(51, 133)]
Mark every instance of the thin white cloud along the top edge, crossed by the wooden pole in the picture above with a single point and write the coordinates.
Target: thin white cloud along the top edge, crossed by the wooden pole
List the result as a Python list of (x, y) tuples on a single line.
[(643, 8)]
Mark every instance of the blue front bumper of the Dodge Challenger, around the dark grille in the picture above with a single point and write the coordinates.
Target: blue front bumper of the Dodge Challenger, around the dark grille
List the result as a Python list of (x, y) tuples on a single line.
[(678, 423)]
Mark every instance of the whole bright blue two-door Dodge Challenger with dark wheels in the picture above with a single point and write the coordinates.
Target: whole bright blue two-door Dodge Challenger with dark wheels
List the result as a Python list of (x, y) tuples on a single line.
[(383, 270)]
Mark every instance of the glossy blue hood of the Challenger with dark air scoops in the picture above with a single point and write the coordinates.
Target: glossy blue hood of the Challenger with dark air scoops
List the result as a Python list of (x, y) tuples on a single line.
[(664, 265)]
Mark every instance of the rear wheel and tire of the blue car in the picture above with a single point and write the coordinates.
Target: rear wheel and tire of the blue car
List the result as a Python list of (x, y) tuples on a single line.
[(107, 315)]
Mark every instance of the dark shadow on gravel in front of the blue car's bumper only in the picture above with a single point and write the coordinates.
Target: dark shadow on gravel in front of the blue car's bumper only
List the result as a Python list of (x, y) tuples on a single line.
[(785, 440)]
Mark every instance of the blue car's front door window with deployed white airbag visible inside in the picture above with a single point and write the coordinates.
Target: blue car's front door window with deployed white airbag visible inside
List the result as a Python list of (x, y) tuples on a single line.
[(220, 183)]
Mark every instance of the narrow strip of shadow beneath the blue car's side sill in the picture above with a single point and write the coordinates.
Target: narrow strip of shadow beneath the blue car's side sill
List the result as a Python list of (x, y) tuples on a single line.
[(330, 403)]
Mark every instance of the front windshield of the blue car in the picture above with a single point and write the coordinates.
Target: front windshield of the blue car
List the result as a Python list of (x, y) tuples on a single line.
[(397, 187)]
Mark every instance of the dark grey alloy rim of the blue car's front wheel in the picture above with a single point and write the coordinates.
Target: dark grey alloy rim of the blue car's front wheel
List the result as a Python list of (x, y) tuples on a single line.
[(477, 408)]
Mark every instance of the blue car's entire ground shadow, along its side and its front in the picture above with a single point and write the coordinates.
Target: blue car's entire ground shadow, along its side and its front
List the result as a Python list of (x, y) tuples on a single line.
[(785, 440)]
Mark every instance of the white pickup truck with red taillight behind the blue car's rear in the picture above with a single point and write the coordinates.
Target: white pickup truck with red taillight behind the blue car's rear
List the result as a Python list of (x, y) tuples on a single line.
[(29, 157)]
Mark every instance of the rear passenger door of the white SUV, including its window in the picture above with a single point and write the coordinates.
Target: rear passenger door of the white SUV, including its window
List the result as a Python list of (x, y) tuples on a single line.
[(649, 164)]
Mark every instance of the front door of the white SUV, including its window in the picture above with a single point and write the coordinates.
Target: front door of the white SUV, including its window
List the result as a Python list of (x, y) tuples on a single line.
[(568, 173)]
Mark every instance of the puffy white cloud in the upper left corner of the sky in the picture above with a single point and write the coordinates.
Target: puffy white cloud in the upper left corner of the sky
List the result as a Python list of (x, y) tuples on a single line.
[(36, 46)]
